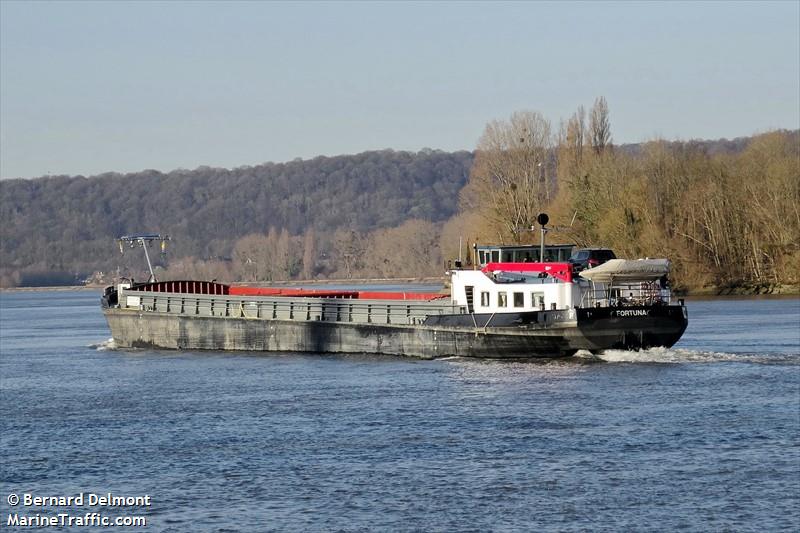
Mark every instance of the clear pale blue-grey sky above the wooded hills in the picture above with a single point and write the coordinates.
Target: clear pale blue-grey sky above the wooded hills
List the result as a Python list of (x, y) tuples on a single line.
[(91, 87)]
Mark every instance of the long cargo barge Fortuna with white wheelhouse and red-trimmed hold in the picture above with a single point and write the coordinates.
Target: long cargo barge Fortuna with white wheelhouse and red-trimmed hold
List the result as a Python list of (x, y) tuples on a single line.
[(503, 310)]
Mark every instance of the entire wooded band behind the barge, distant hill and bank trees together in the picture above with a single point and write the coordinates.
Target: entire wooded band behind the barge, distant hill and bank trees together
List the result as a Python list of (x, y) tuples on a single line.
[(726, 213)]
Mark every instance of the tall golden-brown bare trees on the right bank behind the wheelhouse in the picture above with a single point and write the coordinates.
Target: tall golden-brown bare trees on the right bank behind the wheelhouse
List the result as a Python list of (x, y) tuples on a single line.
[(727, 214)]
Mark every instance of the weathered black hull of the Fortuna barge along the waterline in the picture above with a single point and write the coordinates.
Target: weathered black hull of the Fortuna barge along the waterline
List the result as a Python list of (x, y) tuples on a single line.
[(520, 335)]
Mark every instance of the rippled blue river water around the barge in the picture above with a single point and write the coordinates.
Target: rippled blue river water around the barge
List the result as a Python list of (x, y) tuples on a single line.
[(701, 437)]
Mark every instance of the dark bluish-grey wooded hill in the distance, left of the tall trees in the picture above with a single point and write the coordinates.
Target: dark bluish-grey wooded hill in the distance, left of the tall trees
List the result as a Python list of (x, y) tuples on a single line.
[(56, 229)]
